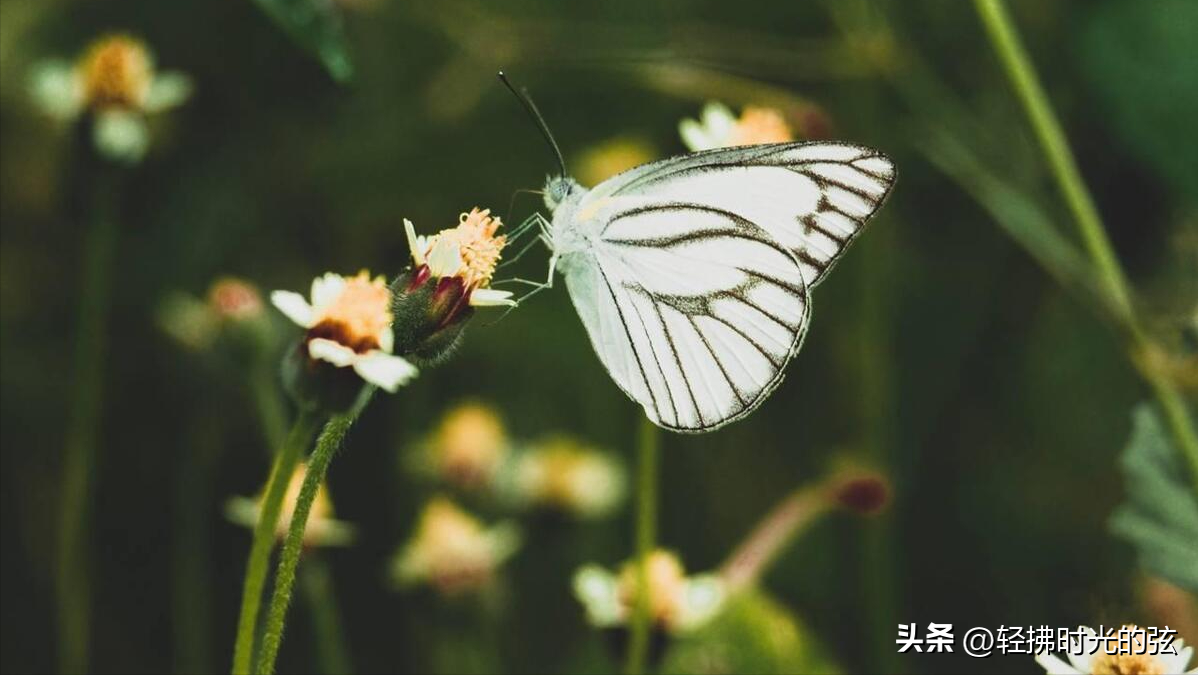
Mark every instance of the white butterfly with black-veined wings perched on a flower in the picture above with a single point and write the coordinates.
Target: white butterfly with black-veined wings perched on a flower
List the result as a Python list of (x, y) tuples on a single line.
[(693, 275)]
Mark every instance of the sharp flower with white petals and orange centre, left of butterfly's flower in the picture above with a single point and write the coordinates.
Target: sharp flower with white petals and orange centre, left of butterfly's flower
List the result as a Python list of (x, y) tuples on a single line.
[(349, 326)]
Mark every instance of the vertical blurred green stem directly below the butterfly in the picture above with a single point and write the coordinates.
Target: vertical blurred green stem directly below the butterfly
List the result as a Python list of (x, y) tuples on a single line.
[(646, 537)]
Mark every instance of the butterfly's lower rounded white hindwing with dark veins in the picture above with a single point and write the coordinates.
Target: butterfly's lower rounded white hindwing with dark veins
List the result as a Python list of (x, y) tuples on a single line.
[(693, 310)]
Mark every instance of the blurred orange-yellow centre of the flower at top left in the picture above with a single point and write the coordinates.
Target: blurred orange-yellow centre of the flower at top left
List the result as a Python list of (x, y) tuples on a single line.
[(117, 73)]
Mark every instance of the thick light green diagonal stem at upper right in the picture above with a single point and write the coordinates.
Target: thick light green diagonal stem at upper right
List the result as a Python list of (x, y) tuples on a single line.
[(1055, 144)]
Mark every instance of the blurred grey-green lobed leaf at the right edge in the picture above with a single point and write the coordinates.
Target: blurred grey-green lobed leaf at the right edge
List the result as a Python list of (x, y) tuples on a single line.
[(1160, 516)]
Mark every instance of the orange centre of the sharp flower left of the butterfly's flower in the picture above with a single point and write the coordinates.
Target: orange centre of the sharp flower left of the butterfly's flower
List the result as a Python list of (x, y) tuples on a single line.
[(359, 316)]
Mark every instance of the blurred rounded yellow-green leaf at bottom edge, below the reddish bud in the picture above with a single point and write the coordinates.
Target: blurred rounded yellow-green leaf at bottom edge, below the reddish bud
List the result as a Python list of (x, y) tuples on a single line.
[(753, 634)]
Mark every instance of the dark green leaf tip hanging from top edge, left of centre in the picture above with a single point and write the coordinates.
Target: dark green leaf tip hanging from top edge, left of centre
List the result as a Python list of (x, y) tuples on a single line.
[(316, 26)]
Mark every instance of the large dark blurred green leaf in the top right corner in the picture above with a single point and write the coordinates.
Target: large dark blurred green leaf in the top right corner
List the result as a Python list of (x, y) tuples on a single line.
[(1140, 58)]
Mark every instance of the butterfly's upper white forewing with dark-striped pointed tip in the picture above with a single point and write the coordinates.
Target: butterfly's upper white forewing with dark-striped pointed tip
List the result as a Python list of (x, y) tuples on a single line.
[(813, 198)]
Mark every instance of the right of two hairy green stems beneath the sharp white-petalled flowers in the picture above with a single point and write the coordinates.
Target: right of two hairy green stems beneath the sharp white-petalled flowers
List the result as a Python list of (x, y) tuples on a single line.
[(285, 578)]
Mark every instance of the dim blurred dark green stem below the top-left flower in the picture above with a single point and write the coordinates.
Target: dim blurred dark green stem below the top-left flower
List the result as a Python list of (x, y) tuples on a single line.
[(74, 584)]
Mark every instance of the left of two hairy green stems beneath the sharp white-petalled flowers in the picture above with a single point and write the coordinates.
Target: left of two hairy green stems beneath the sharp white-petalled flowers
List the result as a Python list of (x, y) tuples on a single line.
[(264, 537)]
